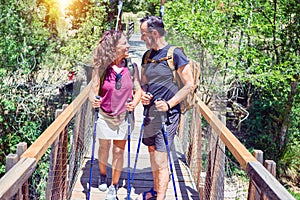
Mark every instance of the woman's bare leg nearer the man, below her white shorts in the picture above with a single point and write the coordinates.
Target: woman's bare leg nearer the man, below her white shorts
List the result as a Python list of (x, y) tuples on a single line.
[(118, 160)]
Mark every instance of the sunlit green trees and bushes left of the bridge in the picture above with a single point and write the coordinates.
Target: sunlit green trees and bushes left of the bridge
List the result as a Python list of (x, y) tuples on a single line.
[(34, 36)]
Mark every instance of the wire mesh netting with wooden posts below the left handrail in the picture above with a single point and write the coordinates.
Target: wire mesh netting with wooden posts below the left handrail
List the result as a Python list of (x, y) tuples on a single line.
[(56, 171)]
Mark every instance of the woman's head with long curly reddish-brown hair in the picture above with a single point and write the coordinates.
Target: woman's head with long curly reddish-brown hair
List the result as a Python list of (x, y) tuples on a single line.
[(112, 46)]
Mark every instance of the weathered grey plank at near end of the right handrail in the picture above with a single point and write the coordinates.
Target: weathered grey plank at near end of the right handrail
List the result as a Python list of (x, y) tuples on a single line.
[(267, 182)]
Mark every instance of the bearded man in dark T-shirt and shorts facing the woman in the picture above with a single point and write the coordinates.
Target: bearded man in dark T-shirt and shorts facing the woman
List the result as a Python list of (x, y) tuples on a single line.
[(157, 81)]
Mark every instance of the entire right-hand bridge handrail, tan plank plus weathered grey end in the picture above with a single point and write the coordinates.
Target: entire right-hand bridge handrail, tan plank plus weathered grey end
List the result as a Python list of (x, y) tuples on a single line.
[(255, 170)]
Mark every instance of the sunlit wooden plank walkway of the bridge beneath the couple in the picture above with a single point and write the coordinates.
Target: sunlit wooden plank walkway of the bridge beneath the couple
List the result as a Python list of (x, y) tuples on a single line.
[(143, 177)]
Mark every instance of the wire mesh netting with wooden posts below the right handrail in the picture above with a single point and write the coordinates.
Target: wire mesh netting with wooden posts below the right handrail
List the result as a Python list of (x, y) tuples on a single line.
[(216, 174)]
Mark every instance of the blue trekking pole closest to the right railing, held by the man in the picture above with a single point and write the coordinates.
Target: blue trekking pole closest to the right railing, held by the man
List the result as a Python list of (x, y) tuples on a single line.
[(164, 130)]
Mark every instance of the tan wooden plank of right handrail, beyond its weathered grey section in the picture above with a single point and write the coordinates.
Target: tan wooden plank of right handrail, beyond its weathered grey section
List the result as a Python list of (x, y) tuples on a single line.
[(238, 150)]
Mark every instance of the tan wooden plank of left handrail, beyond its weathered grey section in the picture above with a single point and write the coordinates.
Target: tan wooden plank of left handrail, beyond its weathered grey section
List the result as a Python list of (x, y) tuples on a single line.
[(40, 146)]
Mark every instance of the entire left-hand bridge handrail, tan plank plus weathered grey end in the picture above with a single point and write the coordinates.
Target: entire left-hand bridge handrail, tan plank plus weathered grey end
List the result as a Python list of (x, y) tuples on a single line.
[(23, 169)]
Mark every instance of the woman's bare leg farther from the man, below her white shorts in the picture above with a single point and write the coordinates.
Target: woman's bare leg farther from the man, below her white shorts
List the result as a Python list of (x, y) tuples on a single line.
[(103, 152)]
